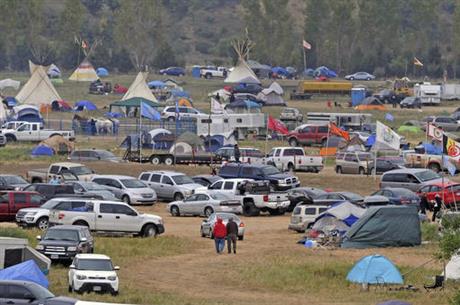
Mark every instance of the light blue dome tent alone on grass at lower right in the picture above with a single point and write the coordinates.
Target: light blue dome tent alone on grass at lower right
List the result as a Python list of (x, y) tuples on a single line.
[(375, 269)]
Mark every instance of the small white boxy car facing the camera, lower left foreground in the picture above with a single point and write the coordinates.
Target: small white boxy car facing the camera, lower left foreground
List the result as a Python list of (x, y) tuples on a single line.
[(93, 272)]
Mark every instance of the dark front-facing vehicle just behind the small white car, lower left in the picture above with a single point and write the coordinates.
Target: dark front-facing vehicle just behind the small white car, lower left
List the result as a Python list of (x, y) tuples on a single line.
[(64, 242)]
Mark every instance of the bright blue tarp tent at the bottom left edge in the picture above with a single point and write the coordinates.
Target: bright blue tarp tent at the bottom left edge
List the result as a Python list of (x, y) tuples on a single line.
[(26, 271)]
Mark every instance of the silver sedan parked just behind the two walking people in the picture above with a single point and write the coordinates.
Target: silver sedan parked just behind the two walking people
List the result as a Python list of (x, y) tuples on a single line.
[(205, 204)]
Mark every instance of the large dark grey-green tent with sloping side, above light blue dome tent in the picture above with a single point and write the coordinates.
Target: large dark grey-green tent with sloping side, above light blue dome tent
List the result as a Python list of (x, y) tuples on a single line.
[(385, 226)]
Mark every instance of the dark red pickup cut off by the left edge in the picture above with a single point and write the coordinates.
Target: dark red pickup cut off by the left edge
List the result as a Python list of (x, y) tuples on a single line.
[(12, 201)]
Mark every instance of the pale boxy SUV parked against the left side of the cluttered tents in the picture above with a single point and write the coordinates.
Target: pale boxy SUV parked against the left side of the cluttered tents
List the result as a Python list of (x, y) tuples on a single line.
[(304, 216)]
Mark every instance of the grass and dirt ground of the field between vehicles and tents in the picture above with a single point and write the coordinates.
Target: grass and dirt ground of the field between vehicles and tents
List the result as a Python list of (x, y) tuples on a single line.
[(270, 268)]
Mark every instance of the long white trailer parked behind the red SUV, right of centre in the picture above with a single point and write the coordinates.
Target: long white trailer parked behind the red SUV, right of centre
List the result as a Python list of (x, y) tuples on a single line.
[(346, 120)]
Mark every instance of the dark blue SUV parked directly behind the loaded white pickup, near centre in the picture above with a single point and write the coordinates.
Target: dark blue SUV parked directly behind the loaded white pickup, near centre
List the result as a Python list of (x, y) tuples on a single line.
[(278, 181)]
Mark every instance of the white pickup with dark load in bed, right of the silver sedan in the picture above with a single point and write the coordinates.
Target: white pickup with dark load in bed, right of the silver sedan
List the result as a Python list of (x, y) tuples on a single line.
[(255, 196)]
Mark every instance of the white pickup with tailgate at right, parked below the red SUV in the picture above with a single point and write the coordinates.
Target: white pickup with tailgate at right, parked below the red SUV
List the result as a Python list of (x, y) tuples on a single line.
[(294, 159)]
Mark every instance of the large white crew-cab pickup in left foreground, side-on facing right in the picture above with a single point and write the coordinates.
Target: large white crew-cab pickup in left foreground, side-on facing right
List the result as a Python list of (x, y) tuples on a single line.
[(110, 216)]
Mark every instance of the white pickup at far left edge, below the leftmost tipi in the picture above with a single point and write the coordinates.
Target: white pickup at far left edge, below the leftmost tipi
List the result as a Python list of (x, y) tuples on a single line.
[(35, 132)]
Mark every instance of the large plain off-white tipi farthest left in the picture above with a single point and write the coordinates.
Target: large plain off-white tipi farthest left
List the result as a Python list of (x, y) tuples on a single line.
[(38, 89)]
